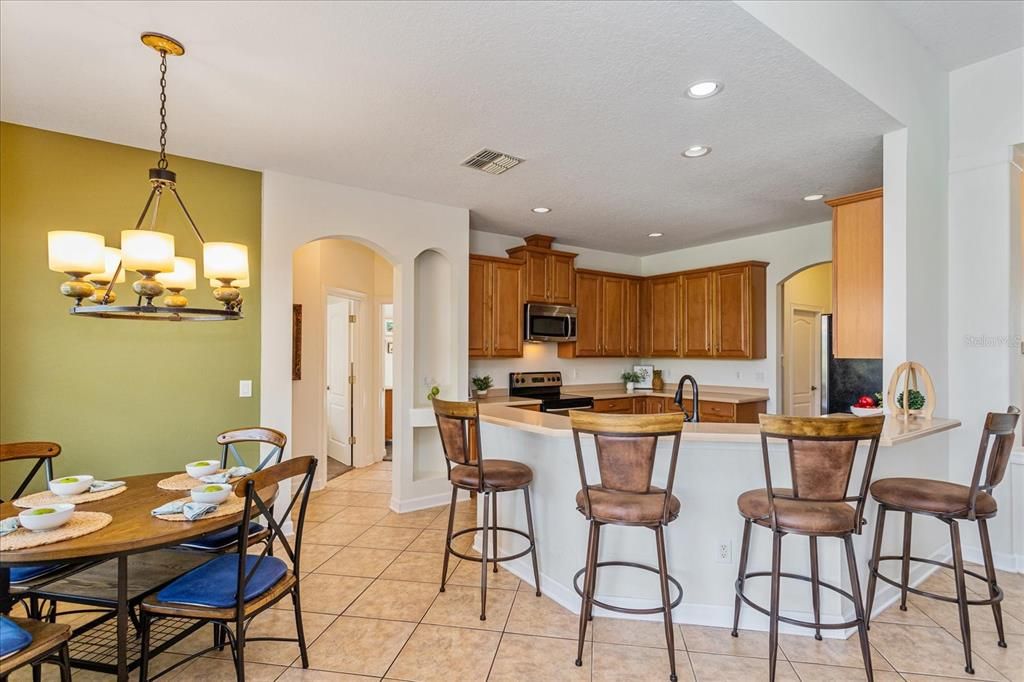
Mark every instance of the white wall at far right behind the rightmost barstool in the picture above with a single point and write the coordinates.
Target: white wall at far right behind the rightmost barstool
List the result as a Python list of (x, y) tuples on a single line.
[(987, 118)]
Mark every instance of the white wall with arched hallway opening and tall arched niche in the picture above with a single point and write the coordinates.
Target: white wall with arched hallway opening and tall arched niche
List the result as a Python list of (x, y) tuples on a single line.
[(298, 210)]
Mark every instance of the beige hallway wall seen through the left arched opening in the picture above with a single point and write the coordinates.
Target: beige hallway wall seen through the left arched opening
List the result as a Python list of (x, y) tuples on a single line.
[(348, 266)]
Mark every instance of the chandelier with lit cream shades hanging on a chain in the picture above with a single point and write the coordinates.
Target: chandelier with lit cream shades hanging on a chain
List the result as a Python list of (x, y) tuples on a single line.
[(96, 268)]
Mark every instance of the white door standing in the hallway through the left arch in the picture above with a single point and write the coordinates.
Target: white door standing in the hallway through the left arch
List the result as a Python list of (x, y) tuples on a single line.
[(340, 314)]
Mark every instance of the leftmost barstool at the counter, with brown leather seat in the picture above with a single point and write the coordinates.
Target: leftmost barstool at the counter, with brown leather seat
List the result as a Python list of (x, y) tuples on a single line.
[(459, 425)]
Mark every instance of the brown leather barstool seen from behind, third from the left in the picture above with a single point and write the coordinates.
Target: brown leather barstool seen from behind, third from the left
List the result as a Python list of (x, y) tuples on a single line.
[(823, 451)]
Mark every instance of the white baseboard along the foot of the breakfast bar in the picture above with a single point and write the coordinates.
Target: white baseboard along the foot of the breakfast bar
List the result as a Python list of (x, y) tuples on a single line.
[(714, 615)]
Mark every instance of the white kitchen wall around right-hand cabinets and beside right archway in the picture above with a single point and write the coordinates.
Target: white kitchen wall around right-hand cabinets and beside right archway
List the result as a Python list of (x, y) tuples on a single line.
[(786, 251)]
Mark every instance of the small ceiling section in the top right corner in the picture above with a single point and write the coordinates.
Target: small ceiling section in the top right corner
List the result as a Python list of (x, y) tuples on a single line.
[(962, 32)]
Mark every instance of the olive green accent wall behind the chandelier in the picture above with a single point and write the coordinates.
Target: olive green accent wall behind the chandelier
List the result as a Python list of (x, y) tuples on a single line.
[(121, 397)]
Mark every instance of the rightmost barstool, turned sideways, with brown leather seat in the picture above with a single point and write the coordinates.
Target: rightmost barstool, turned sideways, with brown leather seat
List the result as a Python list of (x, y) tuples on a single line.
[(951, 503)]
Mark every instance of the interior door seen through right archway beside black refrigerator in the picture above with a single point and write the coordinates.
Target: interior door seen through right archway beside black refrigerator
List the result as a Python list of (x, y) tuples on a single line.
[(802, 361)]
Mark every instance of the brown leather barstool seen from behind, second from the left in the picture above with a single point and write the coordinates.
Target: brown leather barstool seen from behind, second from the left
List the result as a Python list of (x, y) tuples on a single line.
[(626, 447)]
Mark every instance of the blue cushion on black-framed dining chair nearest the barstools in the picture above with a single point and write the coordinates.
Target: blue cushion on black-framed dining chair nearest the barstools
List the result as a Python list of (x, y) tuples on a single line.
[(216, 583)]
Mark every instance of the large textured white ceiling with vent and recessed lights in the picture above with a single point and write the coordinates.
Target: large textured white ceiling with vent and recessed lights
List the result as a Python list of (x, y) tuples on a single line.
[(393, 97)]
